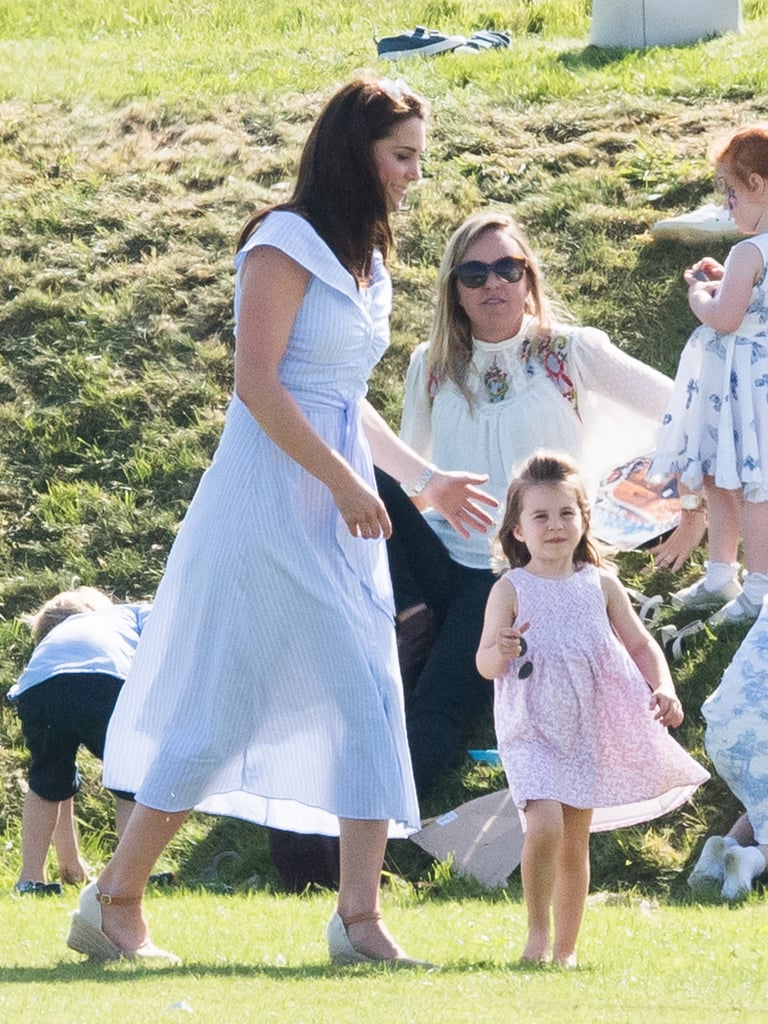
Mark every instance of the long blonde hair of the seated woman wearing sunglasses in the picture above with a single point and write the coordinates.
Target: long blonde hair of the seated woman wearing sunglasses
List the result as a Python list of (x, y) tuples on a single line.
[(451, 333)]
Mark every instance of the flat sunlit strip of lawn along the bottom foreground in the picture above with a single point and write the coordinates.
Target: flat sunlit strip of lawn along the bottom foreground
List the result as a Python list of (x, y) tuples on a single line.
[(263, 959)]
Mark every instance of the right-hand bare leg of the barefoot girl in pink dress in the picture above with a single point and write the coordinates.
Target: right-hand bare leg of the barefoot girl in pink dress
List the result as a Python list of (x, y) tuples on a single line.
[(572, 885)]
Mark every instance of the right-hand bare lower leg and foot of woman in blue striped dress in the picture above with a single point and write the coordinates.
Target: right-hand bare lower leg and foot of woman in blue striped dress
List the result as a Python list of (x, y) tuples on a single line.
[(361, 861)]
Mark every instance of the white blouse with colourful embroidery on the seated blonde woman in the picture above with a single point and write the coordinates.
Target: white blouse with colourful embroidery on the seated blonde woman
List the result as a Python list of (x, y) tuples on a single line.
[(580, 394)]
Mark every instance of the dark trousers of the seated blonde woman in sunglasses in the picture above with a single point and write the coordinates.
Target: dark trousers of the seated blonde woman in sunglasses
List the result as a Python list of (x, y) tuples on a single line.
[(449, 692)]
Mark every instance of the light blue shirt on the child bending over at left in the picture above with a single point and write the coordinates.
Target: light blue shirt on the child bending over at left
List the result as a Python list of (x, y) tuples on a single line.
[(102, 642)]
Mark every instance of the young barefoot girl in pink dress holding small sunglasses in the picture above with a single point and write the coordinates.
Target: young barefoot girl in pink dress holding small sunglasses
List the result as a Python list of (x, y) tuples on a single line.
[(583, 700)]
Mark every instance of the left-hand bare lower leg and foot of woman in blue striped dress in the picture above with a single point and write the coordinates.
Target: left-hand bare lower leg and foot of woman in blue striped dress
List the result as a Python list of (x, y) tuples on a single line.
[(147, 835)]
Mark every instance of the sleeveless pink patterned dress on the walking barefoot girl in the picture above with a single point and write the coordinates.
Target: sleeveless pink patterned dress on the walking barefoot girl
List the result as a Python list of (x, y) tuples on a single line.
[(579, 729)]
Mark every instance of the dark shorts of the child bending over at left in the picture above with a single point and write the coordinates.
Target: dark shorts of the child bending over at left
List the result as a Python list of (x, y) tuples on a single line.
[(60, 715)]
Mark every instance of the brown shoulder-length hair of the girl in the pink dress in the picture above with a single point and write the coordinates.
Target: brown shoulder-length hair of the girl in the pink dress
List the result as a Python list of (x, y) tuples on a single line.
[(545, 467)]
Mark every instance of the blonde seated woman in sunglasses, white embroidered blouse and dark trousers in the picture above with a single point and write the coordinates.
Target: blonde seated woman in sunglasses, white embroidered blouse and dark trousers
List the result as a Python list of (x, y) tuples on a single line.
[(499, 378)]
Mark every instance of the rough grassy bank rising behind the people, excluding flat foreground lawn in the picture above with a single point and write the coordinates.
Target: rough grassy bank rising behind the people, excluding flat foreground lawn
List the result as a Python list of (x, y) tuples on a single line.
[(134, 151)]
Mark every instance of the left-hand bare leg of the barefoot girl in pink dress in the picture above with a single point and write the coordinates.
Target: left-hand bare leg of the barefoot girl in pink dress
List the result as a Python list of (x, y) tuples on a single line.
[(539, 866)]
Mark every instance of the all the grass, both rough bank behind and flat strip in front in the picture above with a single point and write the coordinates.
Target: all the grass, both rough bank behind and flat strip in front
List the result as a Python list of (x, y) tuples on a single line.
[(135, 140)]
